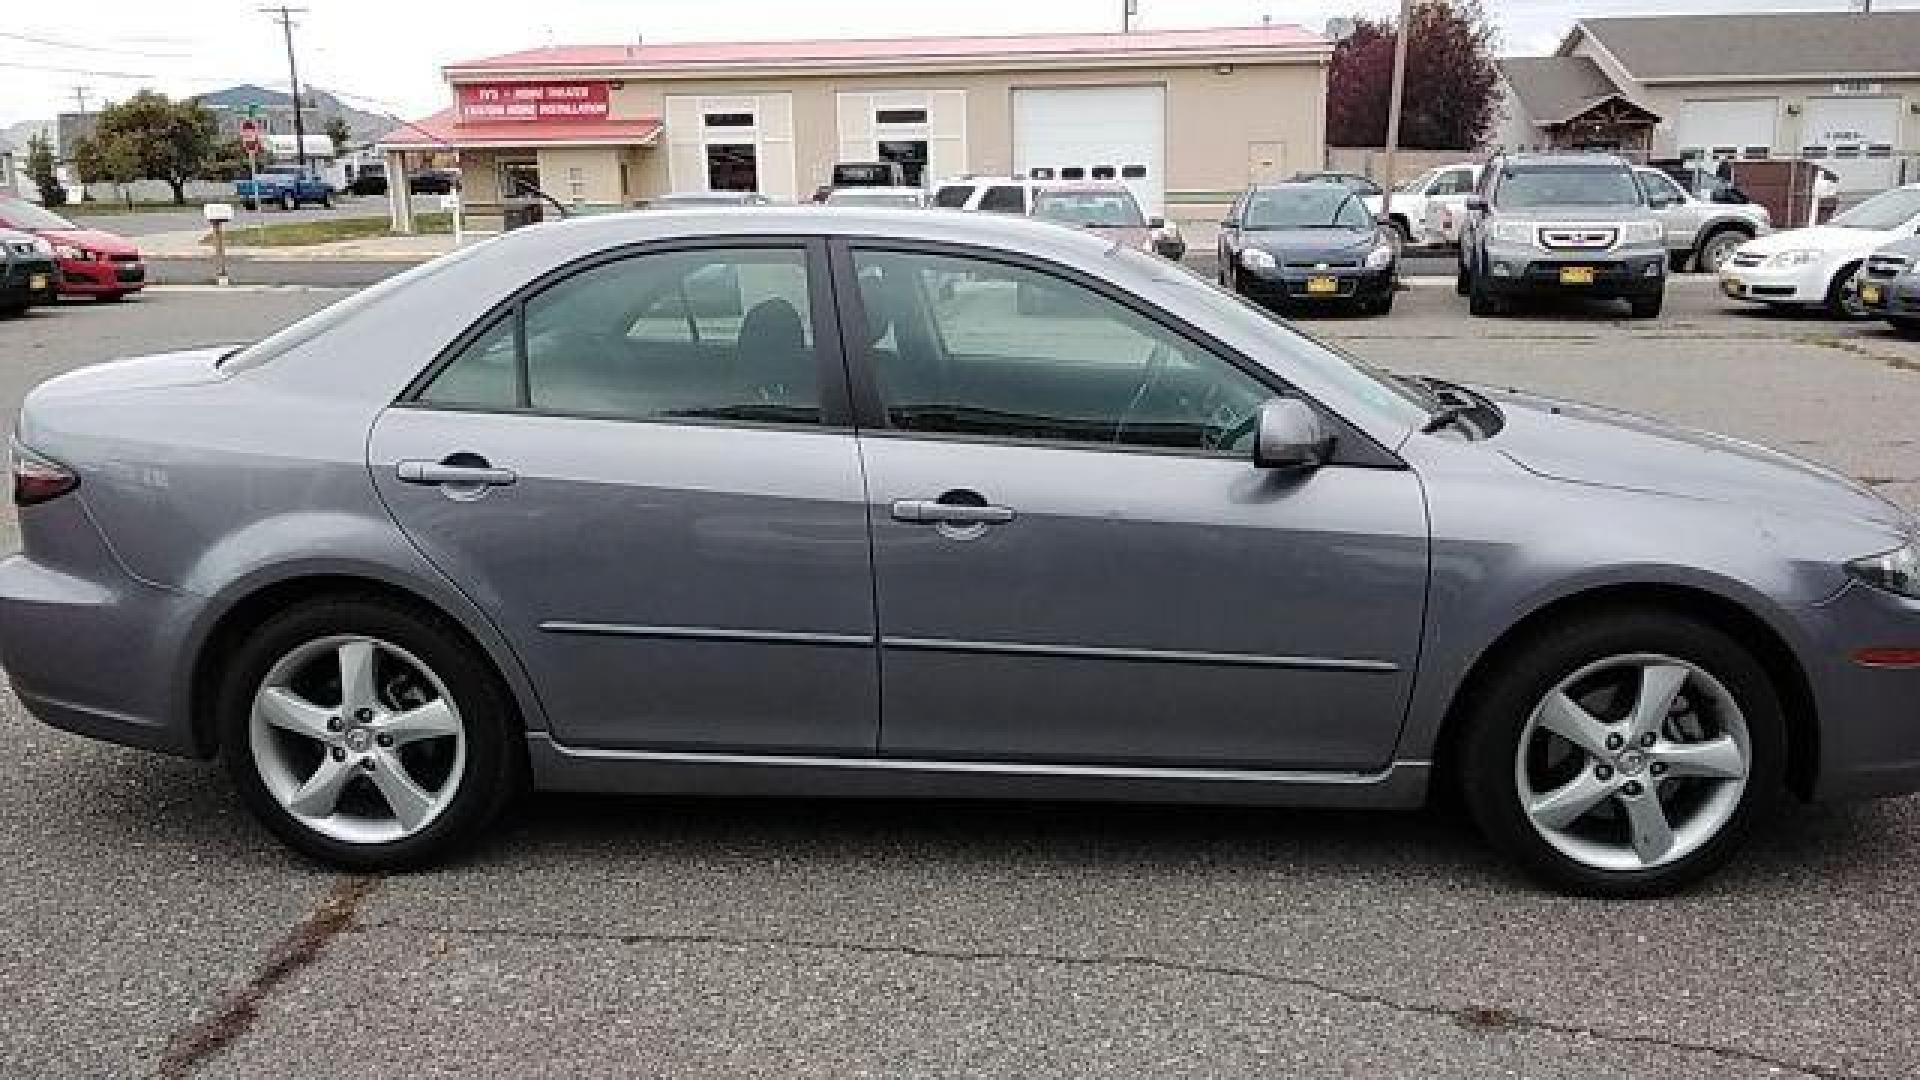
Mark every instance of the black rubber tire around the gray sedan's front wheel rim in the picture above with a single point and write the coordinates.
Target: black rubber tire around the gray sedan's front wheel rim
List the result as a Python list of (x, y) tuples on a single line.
[(1508, 699)]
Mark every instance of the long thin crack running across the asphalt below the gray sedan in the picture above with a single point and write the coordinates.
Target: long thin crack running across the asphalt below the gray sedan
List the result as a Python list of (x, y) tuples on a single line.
[(1472, 1018)]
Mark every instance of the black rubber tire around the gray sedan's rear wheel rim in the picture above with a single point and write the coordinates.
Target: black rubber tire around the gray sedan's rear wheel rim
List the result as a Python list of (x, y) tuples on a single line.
[(496, 758)]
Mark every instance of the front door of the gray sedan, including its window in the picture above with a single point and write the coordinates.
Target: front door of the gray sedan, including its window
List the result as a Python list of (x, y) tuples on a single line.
[(1074, 556)]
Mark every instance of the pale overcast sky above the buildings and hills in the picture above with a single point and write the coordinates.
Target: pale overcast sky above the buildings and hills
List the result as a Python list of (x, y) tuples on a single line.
[(389, 53)]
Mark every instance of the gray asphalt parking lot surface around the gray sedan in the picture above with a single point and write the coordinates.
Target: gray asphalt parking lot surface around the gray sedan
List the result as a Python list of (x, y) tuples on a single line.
[(155, 931)]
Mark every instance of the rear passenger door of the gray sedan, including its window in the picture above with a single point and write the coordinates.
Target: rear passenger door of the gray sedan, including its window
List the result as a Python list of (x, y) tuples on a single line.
[(646, 476)]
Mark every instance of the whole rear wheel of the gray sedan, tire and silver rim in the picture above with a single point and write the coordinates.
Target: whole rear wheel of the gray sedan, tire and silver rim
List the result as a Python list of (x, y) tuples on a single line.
[(368, 735)]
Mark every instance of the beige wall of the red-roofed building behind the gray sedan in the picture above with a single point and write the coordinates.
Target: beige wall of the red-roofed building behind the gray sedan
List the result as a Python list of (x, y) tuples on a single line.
[(1212, 120)]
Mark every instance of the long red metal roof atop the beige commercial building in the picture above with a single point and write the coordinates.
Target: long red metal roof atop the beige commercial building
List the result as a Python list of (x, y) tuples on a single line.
[(901, 51)]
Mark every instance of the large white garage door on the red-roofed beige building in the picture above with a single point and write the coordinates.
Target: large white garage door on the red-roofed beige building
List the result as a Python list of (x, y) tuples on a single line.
[(1095, 134)]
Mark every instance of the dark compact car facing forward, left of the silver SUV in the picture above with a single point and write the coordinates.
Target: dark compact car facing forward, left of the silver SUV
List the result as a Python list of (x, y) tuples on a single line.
[(1308, 243)]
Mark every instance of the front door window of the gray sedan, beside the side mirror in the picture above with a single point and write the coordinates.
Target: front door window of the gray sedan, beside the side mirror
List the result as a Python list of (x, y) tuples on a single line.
[(978, 349)]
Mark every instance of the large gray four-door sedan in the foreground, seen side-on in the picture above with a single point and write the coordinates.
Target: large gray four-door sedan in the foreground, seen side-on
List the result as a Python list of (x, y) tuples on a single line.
[(815, 503)]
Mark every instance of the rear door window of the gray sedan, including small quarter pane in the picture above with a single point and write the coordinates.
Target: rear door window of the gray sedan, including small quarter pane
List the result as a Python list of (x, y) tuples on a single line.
[(721, 335)]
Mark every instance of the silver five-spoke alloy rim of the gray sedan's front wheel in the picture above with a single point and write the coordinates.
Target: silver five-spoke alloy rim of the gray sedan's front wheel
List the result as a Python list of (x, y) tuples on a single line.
[(1633, 762)]
